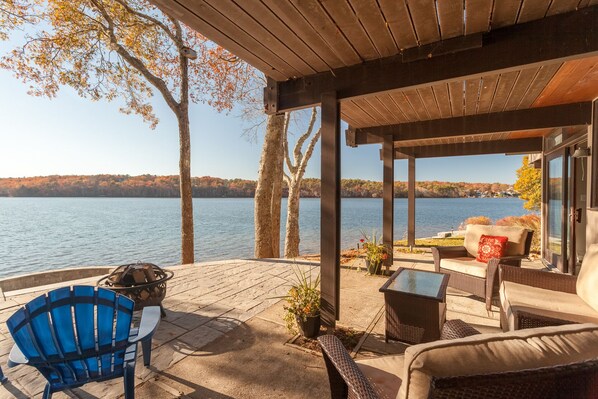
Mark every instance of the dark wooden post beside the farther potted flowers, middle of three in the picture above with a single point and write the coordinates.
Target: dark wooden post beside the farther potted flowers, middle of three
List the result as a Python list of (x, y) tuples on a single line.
[(388, 196)]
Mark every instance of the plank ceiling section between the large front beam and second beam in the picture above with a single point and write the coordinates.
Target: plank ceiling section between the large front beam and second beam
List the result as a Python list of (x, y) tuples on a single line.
[(558, 83)]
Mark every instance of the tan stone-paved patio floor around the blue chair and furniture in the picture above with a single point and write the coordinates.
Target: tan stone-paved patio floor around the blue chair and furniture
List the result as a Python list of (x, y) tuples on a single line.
[(223, 334)]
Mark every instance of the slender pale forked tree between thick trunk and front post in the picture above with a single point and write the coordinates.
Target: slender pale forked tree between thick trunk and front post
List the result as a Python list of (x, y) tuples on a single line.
[(296, 170)]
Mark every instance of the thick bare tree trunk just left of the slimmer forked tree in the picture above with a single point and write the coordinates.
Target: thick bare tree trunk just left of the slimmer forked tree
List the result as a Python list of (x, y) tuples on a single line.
[(265, 184)]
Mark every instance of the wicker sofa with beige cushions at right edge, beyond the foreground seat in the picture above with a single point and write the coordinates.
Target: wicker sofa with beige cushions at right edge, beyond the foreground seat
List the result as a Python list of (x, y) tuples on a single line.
[(533, 298)]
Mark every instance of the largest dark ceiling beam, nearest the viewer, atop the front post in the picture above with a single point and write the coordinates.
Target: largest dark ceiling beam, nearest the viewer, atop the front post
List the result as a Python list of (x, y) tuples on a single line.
[(552, 39)]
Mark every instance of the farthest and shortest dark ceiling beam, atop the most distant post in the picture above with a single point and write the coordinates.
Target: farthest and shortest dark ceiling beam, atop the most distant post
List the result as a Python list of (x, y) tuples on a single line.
[(529, 145)]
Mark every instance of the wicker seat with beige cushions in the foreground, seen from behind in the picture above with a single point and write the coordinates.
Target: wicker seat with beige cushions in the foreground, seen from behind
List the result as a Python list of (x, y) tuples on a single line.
[(547, 362)]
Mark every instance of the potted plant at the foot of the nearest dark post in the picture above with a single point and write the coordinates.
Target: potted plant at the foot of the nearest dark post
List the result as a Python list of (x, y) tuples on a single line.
[(302, 309)]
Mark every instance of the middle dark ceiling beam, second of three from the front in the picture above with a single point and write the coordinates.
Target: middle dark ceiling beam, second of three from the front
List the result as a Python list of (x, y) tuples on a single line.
[(525, 119)]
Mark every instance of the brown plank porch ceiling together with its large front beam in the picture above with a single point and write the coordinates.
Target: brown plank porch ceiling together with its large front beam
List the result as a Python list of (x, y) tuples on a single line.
[(312, 46)]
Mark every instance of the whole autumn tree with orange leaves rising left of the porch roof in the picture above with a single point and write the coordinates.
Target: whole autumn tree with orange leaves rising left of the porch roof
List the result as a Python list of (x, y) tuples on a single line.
[(128, 49)]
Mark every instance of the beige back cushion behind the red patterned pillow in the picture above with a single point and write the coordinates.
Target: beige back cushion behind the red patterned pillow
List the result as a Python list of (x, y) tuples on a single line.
[(516, 236)]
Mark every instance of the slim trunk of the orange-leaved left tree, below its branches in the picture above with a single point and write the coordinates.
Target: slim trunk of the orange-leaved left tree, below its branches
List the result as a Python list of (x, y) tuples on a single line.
[(187, 246)]
